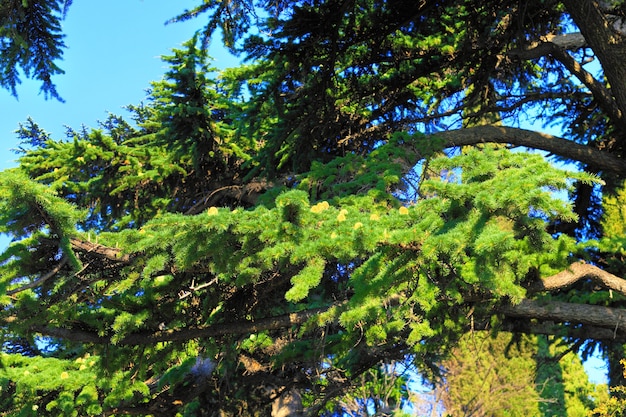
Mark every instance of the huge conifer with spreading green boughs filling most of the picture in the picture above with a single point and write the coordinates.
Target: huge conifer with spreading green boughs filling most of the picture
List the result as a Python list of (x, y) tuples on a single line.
[(267, 240)]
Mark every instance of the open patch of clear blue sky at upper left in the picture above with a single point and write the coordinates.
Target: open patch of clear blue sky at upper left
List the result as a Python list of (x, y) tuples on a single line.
[(113, 52)]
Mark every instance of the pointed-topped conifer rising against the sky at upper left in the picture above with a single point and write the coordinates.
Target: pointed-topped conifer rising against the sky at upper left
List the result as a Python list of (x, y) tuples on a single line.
[(178, 149)]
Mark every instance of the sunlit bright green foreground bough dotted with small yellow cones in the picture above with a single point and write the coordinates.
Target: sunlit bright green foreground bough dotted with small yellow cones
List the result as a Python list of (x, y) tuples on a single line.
[(445, 241)]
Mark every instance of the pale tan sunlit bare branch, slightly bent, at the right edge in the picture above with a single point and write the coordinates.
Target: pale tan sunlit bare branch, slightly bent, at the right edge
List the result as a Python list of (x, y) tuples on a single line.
[(576, 272)]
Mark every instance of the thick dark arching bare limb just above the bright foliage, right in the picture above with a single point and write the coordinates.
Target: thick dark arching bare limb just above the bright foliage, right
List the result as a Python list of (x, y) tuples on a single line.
[(521, 137)]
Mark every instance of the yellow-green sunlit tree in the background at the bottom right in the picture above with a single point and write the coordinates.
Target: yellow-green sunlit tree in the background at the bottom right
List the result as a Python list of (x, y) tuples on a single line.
[(501, 376)]
